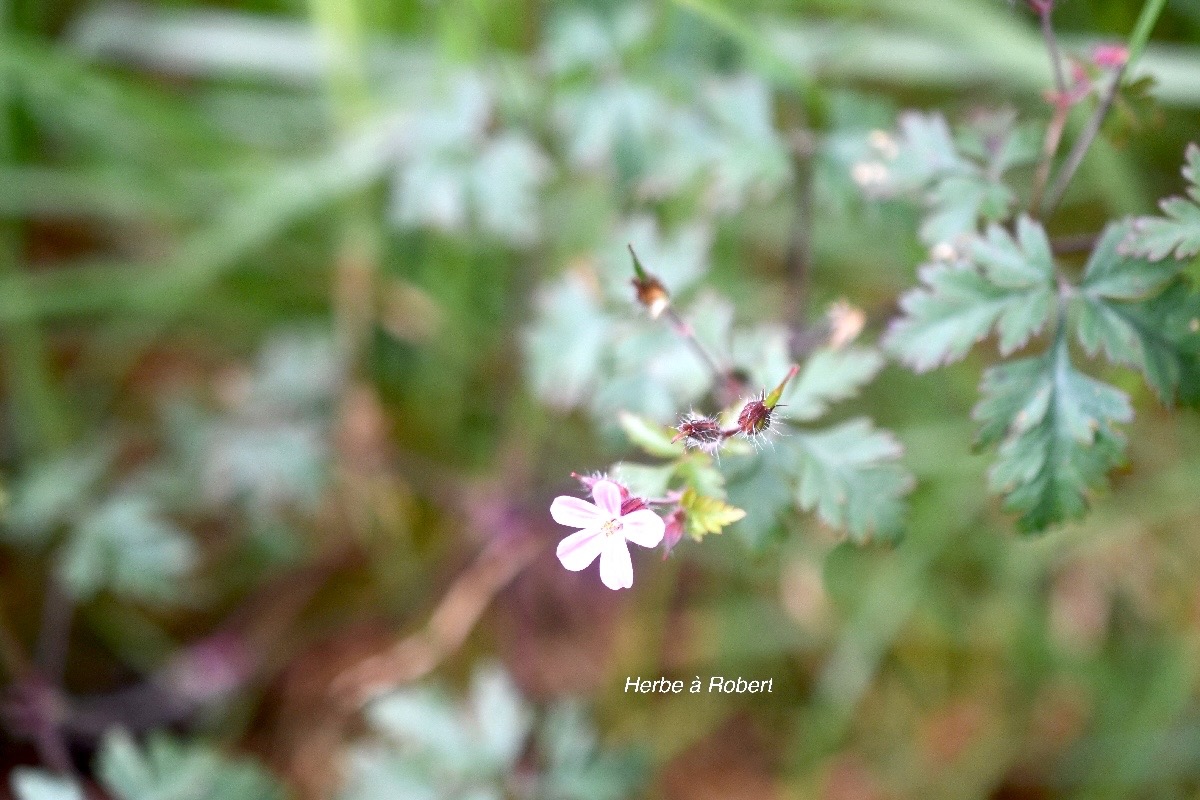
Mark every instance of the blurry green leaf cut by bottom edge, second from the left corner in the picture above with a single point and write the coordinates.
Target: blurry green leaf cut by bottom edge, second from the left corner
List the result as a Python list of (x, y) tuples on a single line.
[(166, 769)]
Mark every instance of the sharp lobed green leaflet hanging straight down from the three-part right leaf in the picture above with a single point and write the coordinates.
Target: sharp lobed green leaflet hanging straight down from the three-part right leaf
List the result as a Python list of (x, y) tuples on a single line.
[(1058, 436)]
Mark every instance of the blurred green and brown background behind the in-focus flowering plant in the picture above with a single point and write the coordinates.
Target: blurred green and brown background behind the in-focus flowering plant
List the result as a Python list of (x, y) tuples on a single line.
[(307, 314)]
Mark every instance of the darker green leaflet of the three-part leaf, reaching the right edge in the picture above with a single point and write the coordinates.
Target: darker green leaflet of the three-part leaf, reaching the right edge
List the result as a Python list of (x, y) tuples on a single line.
[(1160, 336)]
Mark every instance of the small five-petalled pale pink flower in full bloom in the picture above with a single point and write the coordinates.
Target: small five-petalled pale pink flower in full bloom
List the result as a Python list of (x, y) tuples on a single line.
[(604, 532)]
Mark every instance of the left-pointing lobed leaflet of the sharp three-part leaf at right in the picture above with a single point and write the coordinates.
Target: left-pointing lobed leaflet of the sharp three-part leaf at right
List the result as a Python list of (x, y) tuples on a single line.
[(958, 308)]
